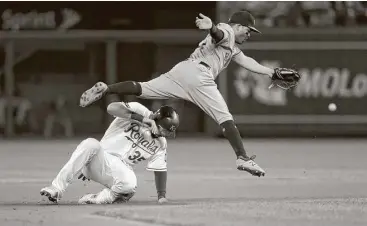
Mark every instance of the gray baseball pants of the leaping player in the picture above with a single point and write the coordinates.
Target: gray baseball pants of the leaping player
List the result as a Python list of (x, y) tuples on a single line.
[(193, 82)]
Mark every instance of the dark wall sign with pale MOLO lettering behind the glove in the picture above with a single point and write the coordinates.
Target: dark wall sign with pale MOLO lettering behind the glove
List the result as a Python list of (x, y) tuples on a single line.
[(330, 76)]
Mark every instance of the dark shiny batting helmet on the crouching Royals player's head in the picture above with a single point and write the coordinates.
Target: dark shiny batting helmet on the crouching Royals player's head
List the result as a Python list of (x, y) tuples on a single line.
[(167, 121)]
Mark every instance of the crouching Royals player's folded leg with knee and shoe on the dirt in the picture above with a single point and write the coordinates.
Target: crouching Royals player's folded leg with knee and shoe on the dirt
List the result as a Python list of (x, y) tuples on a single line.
[(119, 179)]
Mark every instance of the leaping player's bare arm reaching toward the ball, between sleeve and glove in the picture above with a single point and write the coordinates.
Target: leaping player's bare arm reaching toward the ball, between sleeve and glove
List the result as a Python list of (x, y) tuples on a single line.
[(252, 65)]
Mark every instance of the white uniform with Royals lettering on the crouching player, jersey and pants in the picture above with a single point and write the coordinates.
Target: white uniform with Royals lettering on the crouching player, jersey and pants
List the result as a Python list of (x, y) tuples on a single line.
[(110, 160)]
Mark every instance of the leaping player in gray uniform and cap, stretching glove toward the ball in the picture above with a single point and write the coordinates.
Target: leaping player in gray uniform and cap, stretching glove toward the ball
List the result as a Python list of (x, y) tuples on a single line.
[(194, 79)]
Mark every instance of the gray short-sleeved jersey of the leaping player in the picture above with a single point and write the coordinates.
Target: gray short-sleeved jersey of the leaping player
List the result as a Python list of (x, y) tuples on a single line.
[(217, 55)]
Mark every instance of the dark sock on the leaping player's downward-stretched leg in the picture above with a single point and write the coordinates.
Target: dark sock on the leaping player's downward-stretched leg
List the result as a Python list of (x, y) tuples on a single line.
[(231, 132)]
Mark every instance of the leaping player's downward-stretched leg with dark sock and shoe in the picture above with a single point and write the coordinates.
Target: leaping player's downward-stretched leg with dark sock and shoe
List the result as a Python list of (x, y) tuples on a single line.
[(210, 100)]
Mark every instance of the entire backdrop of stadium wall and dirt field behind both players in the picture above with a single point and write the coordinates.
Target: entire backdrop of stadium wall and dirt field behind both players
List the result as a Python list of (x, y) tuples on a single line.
[(52, 51)]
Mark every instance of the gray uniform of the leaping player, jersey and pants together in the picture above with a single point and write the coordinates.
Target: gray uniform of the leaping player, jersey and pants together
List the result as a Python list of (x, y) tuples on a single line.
[(193, 79)]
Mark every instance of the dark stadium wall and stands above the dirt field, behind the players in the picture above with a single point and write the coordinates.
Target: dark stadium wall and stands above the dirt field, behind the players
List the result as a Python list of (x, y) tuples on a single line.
[(52, 51)]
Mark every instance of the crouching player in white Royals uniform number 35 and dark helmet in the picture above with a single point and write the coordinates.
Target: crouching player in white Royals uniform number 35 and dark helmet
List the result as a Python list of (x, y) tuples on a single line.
[(135, 135)]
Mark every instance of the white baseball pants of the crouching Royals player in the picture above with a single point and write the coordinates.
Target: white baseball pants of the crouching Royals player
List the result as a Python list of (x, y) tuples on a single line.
[(96, 164)]
